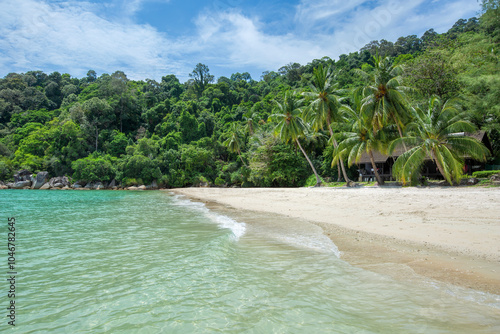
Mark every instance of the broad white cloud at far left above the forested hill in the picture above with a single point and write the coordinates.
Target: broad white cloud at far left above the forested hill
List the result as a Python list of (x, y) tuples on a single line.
[(38, 35)]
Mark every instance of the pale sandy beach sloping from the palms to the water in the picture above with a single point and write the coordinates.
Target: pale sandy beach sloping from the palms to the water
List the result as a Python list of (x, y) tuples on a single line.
[(448, 234)]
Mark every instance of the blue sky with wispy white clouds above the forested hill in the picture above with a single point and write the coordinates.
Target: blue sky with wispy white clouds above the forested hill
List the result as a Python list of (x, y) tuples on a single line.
[(148, 39)]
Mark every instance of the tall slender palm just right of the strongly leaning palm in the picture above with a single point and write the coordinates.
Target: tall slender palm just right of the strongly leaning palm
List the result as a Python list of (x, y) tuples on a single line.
[(324, 106)]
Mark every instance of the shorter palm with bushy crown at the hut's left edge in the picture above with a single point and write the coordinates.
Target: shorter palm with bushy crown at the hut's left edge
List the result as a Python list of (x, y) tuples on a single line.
[(361, 139)]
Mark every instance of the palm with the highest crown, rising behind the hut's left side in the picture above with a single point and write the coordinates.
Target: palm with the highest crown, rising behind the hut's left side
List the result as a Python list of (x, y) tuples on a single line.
[(385, 97)]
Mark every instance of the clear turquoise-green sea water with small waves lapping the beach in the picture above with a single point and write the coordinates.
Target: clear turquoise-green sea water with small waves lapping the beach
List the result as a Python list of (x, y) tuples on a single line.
[(154, 262)]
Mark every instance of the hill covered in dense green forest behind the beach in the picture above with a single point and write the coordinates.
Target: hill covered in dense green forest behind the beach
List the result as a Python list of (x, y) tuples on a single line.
[(219, 130)]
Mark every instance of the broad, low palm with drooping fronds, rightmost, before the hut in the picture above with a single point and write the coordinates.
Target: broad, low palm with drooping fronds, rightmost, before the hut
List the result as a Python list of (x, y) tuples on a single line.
[(438, 133)]
